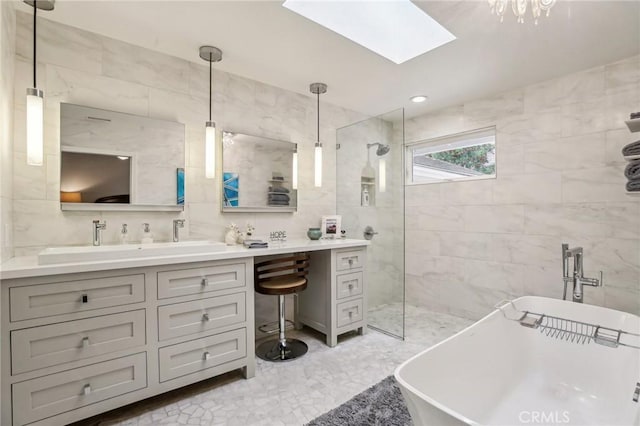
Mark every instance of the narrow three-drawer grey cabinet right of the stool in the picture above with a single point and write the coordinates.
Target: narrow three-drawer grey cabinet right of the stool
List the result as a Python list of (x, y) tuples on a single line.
[(339, 306)]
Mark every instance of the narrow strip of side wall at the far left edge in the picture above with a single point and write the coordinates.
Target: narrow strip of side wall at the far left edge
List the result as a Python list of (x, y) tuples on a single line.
[(7, 58)]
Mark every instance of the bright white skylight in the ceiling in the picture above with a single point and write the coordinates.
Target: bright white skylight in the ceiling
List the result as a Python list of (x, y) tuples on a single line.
[(397, 30)]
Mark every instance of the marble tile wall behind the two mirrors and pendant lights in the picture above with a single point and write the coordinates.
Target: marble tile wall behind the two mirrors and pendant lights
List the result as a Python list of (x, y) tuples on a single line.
[(88, 69)]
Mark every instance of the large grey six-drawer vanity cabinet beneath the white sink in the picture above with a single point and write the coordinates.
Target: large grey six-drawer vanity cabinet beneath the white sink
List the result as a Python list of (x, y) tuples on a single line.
[(75, 345)]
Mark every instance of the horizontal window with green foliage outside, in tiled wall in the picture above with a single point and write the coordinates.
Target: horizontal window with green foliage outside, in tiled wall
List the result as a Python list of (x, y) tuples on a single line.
[(463, 156)]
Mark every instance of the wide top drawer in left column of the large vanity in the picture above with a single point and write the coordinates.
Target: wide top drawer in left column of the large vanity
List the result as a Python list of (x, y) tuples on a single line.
[(57, 298)]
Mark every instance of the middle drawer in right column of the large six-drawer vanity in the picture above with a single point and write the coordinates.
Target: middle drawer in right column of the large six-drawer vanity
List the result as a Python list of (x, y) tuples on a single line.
[(200, 316)]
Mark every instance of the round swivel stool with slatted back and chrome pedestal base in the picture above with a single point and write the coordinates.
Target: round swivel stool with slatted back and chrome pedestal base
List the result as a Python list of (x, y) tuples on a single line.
[(282, 276)]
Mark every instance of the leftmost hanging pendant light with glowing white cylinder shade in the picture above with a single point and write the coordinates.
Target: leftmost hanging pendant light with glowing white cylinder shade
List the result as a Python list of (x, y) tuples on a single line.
[(35, 99)]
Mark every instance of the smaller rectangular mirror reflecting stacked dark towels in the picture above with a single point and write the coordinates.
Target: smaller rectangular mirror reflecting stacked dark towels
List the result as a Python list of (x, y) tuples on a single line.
[(257, 174)]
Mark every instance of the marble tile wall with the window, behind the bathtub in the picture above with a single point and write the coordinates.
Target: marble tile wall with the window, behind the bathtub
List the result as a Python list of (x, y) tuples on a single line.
[(560, 179)]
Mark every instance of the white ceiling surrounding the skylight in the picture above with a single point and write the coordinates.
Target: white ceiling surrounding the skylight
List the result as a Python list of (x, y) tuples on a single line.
[(264, 41)]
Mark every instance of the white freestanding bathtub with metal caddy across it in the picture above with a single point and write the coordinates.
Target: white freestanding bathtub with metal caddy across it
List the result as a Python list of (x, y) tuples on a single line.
[(499, 372)]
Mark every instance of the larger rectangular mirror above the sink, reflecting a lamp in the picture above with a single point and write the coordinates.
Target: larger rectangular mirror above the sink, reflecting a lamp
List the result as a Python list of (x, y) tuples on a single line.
[(116, 161)]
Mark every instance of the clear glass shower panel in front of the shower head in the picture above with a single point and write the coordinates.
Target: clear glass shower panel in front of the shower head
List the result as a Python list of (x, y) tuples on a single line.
[(370, 199)]
